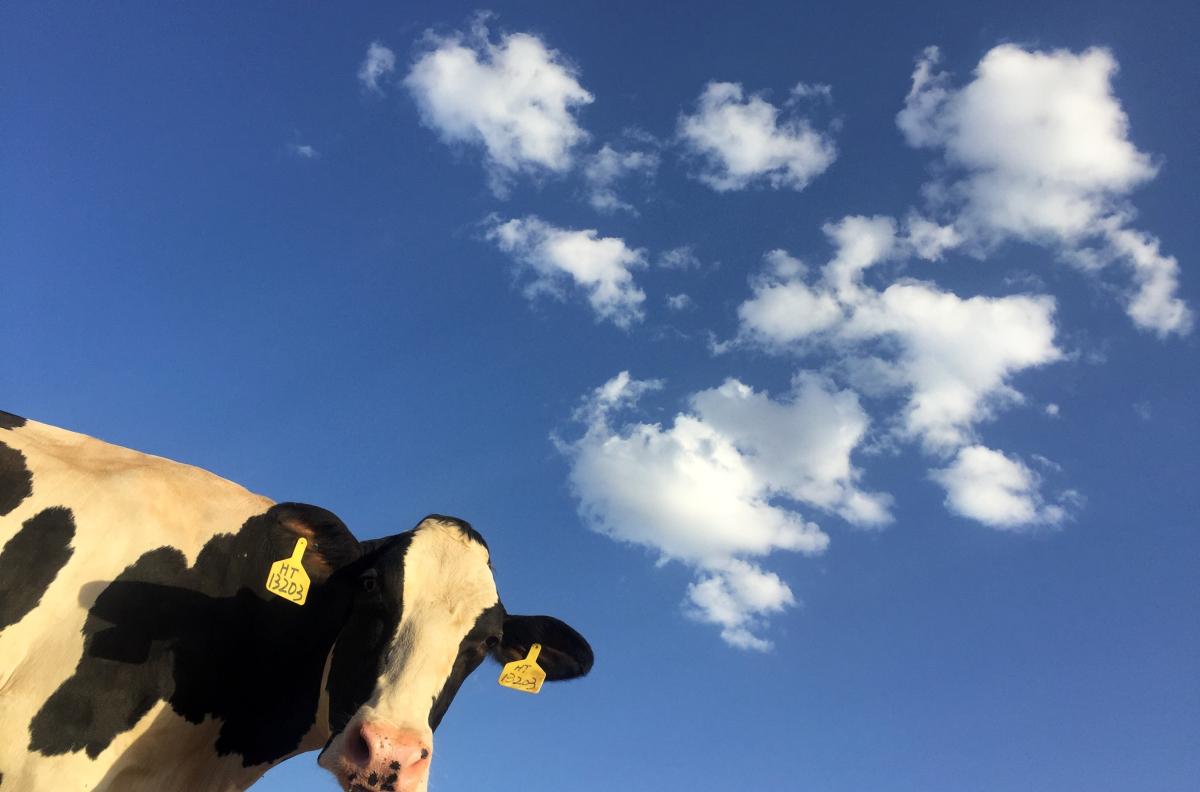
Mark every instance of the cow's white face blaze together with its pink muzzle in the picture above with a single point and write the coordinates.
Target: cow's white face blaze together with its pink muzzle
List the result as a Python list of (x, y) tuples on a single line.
[(448, 585)]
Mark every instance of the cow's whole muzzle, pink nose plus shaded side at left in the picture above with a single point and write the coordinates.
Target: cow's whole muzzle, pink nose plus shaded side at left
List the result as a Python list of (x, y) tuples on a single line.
[(377, 757)]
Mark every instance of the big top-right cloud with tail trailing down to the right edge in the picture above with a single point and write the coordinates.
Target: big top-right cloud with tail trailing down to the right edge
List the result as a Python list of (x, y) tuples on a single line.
[(1041, 151)]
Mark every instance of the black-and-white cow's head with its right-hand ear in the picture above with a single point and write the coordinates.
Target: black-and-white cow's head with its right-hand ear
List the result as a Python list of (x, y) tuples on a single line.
[(425, 616)]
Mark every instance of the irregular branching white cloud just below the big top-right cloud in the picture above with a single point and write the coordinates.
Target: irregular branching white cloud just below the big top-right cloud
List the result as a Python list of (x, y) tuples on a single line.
[(955, 357)]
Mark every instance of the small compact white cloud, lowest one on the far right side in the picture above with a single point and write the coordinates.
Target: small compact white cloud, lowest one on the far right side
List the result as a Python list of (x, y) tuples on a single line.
[(997, 490)]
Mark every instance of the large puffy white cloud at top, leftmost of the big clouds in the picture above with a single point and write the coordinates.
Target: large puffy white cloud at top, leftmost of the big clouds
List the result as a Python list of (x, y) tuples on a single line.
[(515, 98)]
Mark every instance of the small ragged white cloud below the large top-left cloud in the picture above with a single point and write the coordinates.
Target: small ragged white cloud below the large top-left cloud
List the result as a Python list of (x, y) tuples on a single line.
[(560, 257)]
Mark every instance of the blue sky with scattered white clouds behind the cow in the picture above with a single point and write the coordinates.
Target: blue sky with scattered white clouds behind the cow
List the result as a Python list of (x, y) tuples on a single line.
[(899, 489)]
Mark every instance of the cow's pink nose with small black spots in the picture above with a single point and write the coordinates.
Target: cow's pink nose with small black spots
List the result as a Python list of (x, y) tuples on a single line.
[(387, 758)]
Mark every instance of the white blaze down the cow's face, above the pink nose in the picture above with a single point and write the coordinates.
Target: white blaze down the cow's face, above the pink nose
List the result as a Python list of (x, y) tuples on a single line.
[(448, 585)]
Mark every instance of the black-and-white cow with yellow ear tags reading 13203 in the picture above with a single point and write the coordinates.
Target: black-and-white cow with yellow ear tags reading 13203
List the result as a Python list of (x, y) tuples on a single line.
[(142, 646)]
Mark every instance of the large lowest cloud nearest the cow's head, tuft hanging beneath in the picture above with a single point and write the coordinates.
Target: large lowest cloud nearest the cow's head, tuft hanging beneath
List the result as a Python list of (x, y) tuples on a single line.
[(722, 485)]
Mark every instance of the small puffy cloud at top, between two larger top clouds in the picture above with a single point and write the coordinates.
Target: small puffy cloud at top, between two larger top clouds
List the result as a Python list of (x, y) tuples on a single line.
[(743, 141)]
